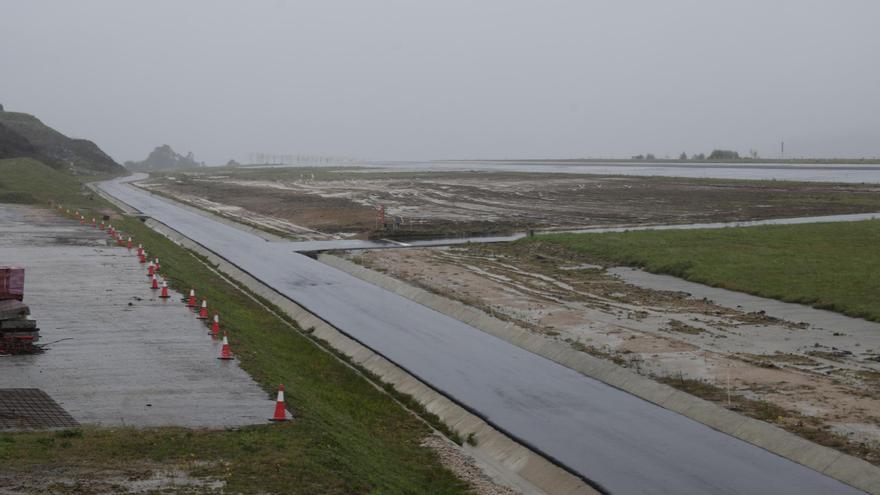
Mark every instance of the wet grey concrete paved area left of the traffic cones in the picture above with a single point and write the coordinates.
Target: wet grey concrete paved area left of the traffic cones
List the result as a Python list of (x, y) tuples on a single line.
[(129, 358)]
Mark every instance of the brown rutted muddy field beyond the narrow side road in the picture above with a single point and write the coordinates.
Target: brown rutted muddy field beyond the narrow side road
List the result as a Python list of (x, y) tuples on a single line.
[(331, 203)]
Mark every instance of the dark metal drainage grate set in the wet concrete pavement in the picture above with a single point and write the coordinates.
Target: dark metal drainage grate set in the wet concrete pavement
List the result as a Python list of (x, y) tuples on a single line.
[(31, 409)]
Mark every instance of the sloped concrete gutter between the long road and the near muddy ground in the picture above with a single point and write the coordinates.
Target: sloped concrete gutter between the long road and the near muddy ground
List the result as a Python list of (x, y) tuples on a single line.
[(830, 462)]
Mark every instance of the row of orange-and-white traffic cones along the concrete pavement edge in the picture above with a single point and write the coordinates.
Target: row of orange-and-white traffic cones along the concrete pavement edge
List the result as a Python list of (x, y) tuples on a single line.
[(153, 269)]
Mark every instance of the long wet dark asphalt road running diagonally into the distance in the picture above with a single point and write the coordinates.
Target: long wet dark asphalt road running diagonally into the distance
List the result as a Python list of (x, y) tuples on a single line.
[(621, 442)]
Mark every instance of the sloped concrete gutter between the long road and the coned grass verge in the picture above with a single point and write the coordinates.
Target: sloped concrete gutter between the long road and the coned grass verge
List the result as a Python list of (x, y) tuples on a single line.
[(530, 472)]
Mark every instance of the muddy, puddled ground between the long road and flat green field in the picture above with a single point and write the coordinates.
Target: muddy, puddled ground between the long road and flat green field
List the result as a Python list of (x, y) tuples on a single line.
[(784, 372)]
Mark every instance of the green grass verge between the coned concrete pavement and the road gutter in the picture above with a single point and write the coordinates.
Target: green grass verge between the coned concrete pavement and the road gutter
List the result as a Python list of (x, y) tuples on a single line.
[(348, 437)]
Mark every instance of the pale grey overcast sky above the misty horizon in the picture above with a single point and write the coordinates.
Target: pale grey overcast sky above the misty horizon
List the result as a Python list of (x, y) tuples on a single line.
[(448, 79)]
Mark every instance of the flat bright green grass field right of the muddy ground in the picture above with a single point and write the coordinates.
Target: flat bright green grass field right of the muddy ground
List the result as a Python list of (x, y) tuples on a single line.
[(832, 266)]
